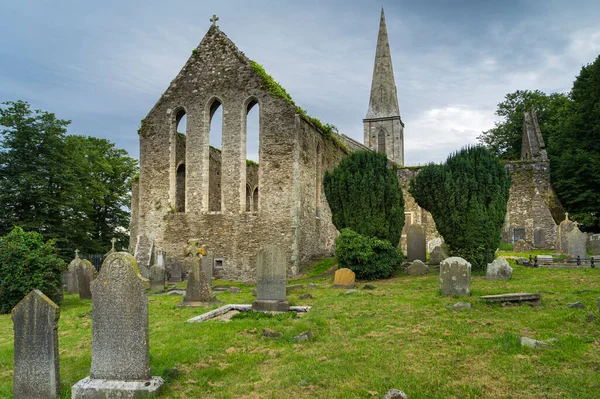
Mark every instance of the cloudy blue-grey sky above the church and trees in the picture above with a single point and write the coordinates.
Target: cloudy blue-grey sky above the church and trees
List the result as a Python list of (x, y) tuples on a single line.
[(103, 64)]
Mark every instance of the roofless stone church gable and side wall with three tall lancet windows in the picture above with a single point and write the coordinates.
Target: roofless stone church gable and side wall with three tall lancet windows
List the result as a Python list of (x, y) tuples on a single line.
[(190, 189)]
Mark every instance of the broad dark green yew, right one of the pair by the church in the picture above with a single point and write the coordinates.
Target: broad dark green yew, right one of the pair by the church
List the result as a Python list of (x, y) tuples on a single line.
[(467, 199)]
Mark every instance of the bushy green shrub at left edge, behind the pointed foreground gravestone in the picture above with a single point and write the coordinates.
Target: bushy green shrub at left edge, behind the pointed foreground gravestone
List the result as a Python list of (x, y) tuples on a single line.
[(26, 262)]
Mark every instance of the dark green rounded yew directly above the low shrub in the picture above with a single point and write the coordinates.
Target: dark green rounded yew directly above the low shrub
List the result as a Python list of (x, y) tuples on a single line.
[(364, 195)]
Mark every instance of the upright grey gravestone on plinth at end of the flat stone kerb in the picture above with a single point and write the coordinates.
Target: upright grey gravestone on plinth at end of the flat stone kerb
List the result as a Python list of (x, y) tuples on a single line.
[(271, 279)]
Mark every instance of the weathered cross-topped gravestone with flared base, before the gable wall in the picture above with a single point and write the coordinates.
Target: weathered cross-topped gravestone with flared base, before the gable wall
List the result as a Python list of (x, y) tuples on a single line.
[(198, 291)]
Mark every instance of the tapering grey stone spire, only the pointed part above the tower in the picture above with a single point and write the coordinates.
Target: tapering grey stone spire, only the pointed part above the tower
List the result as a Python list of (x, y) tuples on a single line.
[(384, 98)]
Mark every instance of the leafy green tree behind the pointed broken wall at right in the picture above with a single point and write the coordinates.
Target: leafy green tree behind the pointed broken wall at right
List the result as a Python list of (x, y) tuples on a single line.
[(504, 140)]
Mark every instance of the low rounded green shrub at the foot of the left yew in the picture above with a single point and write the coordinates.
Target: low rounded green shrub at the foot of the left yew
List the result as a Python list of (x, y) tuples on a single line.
[(368, 257)]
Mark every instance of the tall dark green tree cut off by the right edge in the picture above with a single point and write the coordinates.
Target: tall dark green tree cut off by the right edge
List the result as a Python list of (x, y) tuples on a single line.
[(574, 151)]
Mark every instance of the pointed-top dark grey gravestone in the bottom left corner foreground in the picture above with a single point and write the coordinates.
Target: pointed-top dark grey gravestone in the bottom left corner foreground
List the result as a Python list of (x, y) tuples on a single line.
[(36, 369)]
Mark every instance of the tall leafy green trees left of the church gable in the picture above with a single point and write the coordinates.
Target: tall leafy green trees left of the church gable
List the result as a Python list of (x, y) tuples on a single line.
[(72, 189)]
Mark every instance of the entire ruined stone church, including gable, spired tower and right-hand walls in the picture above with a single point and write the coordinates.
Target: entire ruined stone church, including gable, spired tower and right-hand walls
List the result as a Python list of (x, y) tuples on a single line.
[(187, 189)]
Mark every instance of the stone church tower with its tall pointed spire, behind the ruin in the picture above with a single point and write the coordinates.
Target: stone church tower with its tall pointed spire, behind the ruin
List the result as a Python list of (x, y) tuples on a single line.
[(383, 127)]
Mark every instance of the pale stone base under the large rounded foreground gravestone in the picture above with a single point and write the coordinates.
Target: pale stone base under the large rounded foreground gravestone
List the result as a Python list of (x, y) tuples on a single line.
[(90, 388)]
